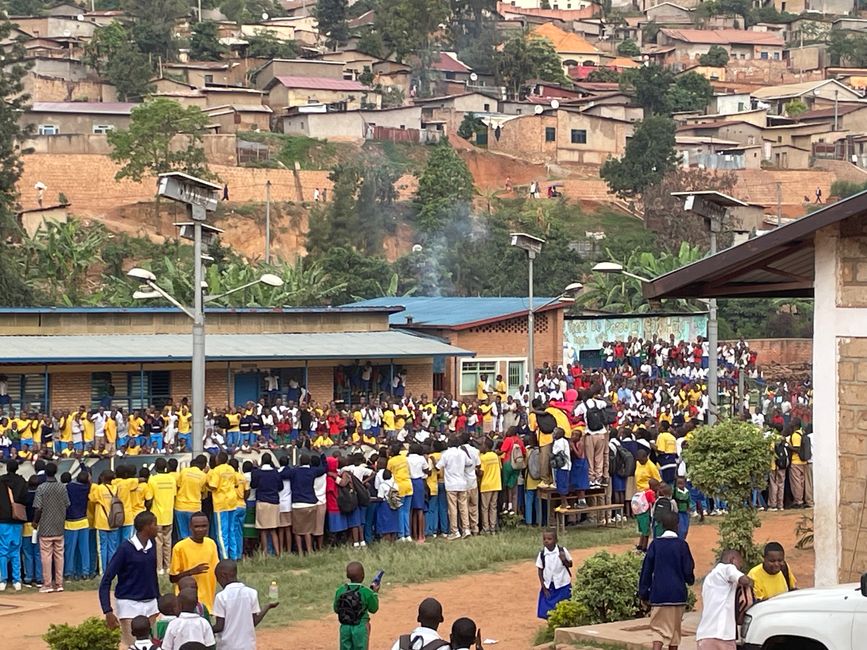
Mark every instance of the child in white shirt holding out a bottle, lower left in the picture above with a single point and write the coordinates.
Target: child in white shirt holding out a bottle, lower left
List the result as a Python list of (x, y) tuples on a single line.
[(236, 609)]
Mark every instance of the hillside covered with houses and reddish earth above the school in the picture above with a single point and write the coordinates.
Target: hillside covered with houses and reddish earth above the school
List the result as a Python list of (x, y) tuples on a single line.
[(533, 94)]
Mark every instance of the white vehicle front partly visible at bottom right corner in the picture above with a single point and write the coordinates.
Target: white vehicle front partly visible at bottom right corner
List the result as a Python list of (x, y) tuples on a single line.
[(826, 618)]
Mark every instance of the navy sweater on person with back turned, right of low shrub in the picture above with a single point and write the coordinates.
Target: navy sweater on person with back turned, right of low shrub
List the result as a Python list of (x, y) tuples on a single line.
[(668, 567)]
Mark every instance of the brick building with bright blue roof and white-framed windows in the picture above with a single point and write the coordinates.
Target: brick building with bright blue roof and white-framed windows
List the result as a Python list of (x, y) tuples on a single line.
[(495, 329)]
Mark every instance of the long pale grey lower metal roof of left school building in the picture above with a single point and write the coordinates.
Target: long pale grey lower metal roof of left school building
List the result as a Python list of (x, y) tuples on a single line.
[(222, 347)]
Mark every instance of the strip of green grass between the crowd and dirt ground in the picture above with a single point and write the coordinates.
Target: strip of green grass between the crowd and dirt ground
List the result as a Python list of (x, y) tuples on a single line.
[(307, 584)]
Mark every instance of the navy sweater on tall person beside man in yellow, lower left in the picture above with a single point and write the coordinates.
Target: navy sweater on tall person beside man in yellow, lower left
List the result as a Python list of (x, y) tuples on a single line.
[(136, 573)]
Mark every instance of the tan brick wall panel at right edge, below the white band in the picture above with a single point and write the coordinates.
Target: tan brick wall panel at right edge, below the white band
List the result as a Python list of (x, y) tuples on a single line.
[(852, 396)]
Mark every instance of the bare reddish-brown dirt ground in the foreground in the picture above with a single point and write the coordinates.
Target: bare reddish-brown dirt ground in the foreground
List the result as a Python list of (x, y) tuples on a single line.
[(503, 603)]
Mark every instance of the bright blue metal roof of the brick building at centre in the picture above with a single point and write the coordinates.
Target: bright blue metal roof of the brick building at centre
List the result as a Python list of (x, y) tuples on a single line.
[(452, 312)]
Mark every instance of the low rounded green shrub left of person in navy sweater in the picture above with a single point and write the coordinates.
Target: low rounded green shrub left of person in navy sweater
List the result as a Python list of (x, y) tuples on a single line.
[(607, 585)]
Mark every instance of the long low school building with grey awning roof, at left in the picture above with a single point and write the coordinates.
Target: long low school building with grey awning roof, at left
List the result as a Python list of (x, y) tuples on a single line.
[(59, 358)]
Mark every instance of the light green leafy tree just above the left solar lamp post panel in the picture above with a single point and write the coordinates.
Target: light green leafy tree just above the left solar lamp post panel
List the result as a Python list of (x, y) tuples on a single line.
[(163, 136)]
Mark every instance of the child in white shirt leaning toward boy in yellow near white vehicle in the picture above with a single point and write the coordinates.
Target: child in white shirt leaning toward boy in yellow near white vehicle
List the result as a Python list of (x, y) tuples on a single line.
[(717, 629)]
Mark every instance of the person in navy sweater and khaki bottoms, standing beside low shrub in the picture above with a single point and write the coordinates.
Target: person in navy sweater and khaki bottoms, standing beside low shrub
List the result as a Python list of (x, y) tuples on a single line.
[(667, 570)]
